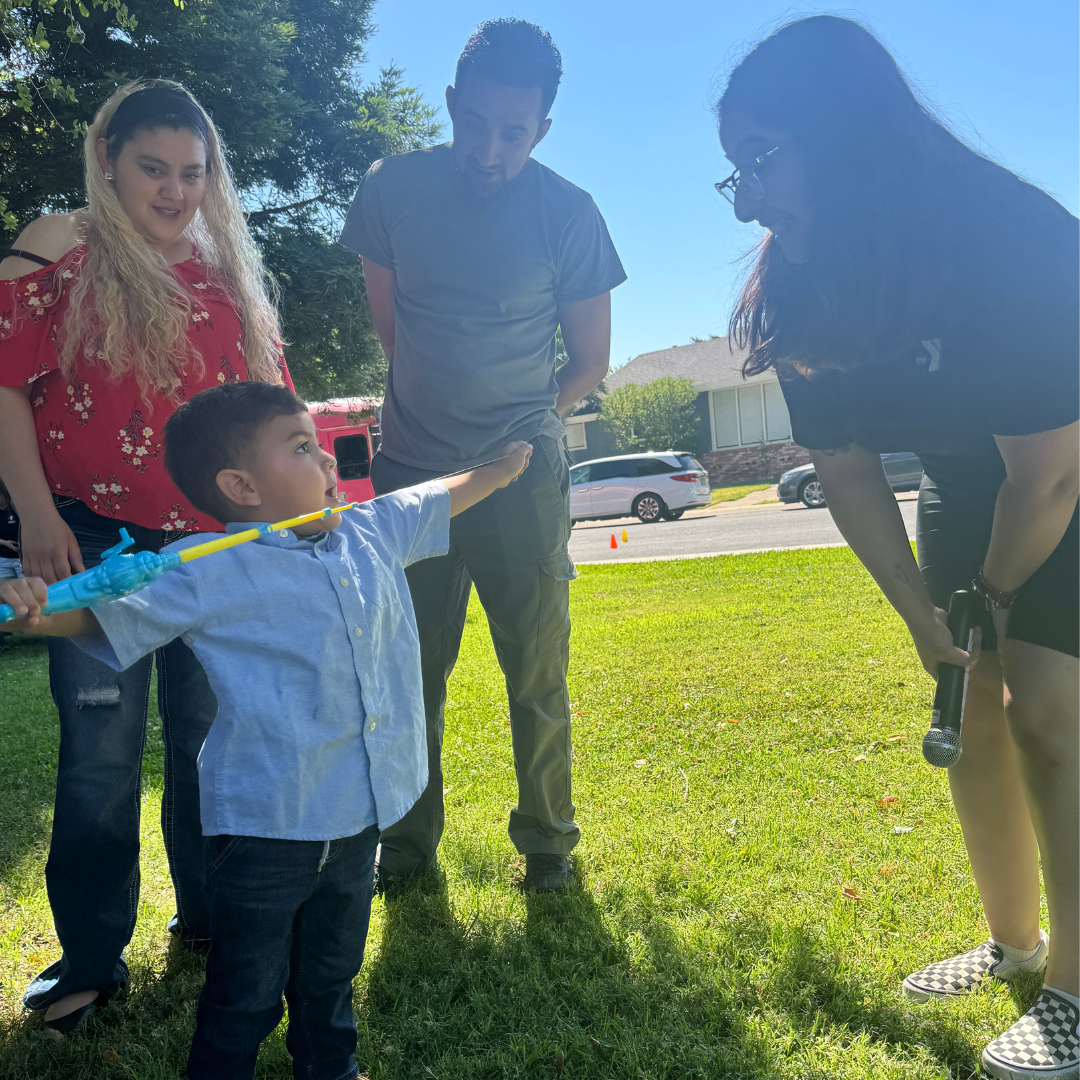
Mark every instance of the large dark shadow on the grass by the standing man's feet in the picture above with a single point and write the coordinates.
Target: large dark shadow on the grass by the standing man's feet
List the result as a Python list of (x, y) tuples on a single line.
[(455, 995)]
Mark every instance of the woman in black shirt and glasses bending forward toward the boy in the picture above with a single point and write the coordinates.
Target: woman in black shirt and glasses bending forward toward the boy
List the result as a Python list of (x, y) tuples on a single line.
[(914, 295)]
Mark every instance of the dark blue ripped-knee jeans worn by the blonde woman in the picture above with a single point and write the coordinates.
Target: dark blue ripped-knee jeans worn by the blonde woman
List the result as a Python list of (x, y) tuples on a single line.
[(92, 874)]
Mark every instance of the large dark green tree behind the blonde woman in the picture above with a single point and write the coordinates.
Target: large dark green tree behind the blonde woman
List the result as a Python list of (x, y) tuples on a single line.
[(281, 79)]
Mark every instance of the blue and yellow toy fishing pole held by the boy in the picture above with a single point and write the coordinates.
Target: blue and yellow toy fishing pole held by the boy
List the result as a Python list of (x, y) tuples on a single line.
[(119, 575)]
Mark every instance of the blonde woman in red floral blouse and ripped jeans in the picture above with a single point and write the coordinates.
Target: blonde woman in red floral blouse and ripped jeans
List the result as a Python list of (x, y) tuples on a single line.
[(110, 319)]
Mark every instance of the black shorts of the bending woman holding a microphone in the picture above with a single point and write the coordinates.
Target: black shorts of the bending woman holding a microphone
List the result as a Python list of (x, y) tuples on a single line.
[(952, 537)]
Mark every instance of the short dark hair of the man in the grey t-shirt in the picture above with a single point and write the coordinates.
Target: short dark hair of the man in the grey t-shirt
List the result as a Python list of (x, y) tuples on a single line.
[(514, 53)]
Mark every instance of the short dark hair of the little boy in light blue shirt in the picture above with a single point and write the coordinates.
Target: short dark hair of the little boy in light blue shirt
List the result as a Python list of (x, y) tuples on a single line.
[(217, 430)]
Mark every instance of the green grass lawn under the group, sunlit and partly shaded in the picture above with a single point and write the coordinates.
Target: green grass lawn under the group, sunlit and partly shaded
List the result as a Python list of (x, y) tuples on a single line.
[(747, 909)]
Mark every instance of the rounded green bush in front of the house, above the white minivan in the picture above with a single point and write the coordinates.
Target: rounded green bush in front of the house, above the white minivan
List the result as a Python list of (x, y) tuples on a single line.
[(658, 416)]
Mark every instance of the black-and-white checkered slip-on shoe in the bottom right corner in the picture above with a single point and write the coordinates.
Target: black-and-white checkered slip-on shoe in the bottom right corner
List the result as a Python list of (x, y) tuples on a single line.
[(1041, 1046)]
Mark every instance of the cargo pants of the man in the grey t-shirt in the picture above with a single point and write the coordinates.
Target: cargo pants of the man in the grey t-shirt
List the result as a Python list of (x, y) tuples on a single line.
[(512, 547)]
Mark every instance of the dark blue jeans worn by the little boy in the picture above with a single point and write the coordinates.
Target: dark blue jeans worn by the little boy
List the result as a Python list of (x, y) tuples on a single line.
[(287, 917)]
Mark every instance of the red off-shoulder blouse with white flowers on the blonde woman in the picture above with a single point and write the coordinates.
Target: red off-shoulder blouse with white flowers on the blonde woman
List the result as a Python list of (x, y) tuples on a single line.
[(100, 440)]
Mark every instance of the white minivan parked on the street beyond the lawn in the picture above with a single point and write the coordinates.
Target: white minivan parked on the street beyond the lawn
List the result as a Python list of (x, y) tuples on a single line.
[(650, 485)]
